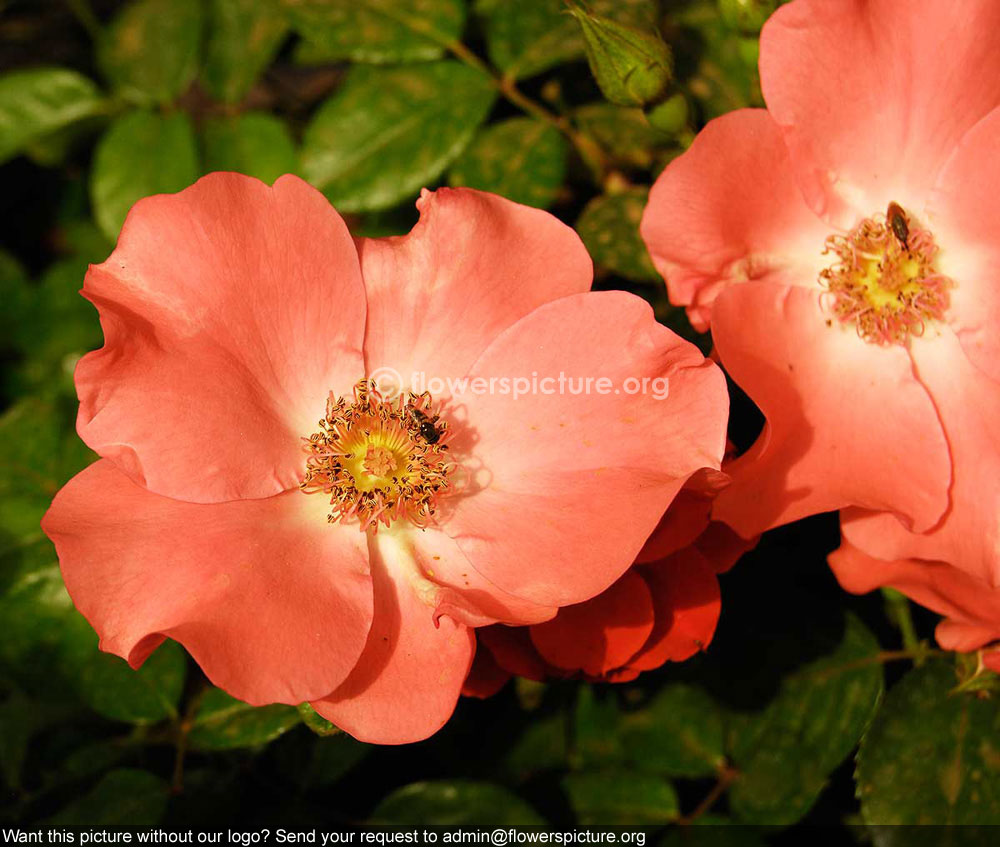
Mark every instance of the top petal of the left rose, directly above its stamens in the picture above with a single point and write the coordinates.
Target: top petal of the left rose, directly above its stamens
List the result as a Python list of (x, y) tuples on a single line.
[(474, 264)]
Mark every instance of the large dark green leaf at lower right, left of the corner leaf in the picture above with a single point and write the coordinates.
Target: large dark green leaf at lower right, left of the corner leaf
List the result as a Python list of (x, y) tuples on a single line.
[(786, 751)]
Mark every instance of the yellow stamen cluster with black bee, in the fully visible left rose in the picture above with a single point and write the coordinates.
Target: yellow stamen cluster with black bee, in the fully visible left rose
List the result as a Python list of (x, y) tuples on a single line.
[(378, 460)]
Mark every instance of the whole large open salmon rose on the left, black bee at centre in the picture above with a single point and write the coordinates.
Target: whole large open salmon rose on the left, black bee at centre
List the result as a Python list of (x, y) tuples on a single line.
[(310, 536)]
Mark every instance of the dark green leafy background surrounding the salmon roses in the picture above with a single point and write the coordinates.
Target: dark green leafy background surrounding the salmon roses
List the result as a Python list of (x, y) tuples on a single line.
[(103, 102)]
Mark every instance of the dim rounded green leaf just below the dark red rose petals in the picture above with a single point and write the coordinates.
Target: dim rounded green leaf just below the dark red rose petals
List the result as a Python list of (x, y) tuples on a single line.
[(679, 733)]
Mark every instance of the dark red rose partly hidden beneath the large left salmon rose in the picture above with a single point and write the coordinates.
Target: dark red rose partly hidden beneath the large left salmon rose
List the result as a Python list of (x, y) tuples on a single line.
[(664, 608)]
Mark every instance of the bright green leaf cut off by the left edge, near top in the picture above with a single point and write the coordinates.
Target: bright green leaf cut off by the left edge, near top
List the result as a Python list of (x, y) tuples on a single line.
[(39, 101)]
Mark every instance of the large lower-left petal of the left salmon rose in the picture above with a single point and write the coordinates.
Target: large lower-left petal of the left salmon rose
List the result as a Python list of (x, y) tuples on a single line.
[(272, 602)]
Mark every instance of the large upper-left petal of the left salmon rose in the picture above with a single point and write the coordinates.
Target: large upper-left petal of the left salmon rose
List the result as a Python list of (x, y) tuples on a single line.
[(230, 310)]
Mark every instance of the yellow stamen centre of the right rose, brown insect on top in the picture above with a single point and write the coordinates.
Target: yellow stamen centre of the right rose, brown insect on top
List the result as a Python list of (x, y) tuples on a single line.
[(884, 278)]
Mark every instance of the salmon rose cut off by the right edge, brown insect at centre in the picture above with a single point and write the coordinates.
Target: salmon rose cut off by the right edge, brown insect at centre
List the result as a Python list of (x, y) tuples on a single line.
[(844, 246)]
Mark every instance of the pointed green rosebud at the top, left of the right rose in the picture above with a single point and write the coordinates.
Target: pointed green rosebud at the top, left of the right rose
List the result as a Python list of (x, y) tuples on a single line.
[(633, 66)]
